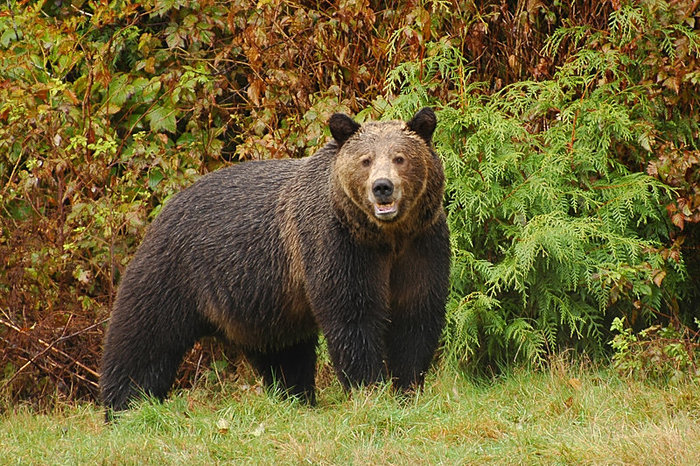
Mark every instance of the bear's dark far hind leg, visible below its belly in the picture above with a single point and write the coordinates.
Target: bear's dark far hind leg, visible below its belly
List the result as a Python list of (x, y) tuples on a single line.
[(292, 368)]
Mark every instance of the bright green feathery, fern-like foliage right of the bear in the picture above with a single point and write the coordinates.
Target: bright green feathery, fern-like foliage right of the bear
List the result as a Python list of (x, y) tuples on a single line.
[(552, 235)]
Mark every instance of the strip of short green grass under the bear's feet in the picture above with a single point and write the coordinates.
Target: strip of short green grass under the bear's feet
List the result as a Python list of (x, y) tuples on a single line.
[(567, 415)]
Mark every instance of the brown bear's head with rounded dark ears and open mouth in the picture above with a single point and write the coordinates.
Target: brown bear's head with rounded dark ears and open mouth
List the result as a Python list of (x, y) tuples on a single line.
[(388, 170)]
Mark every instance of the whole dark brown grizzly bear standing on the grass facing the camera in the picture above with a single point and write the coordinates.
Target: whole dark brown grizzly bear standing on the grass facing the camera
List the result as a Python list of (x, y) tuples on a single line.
[(351, 241)]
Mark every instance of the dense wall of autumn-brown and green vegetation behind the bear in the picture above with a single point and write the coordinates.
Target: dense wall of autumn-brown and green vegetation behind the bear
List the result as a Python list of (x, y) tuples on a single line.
[(569, 132)]
